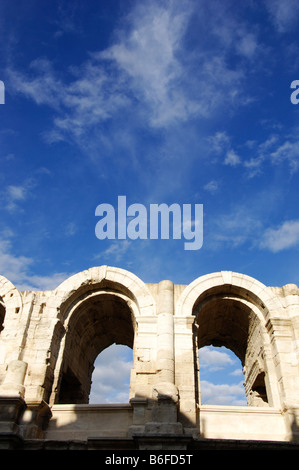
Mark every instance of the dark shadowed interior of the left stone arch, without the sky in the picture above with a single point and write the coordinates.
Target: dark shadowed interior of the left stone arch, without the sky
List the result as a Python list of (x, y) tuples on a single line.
[(100, 320)]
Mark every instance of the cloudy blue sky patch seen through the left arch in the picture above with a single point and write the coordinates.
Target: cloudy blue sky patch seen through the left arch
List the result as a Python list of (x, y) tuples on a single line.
[(111, 375)]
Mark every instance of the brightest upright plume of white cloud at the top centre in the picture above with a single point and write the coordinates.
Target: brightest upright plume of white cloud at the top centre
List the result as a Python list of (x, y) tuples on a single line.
[(148, 53)]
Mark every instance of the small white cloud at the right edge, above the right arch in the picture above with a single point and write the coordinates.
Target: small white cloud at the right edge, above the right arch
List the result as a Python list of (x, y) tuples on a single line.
[(284, 237)]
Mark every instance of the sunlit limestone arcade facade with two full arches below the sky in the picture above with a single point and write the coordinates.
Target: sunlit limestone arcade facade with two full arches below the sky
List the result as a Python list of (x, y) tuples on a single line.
[(49, 341)]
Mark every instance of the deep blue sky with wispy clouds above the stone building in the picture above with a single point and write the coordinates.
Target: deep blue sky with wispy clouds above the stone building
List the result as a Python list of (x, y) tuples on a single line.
[(163, 102)]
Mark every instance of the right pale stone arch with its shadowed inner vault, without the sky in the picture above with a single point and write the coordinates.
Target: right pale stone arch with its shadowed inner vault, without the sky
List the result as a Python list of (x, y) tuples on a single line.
[(233, 310)]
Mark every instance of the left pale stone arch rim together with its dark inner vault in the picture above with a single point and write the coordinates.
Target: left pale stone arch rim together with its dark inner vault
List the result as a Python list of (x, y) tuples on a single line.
[(95, 308)]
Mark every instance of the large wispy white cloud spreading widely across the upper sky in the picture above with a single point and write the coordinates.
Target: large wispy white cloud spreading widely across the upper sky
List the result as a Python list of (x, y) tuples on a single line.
[(147, 72)]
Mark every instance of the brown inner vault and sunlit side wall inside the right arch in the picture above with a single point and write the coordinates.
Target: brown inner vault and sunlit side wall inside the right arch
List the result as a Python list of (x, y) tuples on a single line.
[(231, 321)]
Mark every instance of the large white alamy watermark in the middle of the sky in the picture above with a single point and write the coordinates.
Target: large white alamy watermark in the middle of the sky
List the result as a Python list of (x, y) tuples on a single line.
[(158, 221)]
